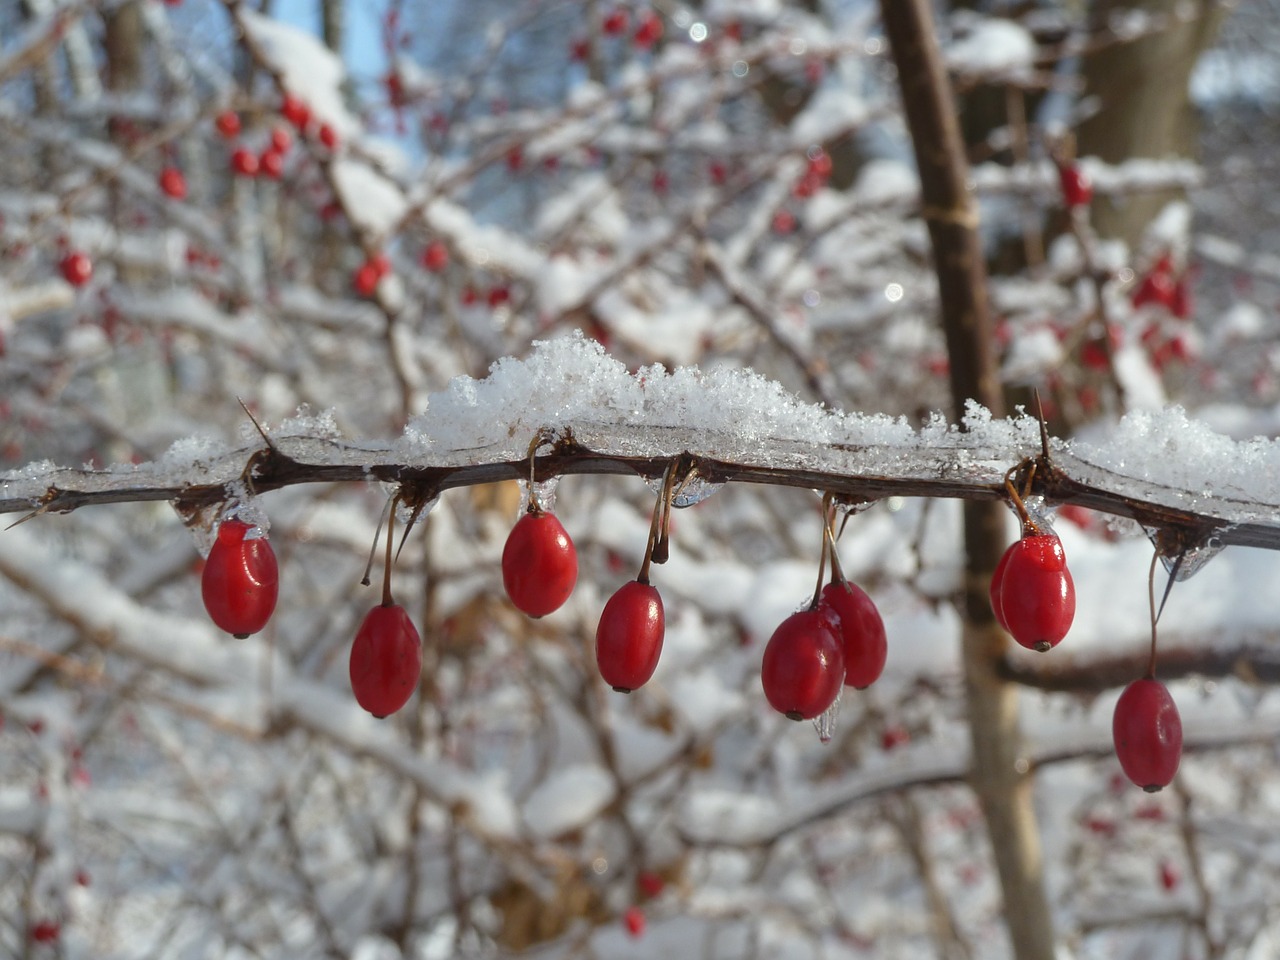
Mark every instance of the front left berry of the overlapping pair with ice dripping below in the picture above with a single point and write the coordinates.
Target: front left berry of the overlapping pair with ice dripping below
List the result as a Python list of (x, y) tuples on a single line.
[(804, 666)]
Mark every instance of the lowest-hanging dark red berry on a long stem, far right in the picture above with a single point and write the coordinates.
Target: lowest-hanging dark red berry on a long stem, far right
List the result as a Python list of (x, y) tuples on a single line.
[(1149, 734)]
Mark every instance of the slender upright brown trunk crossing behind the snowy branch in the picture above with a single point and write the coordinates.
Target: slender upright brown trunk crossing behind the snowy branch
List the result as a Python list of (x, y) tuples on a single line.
[(998, 778)]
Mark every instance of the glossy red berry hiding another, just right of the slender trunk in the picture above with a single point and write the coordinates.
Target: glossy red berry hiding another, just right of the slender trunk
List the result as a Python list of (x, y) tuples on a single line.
[(1036, 596)]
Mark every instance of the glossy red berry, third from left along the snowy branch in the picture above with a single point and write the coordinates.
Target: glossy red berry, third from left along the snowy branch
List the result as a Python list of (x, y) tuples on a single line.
[(540, 564)]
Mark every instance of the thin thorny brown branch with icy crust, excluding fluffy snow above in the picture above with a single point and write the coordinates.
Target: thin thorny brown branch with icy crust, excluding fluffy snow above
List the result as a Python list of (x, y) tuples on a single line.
[(958, 469)]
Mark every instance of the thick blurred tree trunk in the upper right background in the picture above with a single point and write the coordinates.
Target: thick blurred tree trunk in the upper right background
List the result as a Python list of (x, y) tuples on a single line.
[(1145, 106)]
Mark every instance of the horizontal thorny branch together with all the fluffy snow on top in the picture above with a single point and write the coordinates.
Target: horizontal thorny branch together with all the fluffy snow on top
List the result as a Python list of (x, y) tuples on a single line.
[(1164, 470)]
